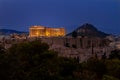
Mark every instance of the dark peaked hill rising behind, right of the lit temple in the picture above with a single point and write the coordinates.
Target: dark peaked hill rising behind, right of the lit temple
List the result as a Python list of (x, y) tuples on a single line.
[(88, 30)]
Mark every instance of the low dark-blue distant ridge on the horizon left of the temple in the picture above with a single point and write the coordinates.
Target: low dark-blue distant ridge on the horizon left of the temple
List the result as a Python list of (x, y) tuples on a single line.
[(10, 31)]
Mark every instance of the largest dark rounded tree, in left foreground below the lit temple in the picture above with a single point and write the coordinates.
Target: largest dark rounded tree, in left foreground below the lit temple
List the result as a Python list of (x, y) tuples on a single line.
[(26, 59)]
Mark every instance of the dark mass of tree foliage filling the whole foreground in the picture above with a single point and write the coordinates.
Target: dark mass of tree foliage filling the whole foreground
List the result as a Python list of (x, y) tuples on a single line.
[(34, 61)]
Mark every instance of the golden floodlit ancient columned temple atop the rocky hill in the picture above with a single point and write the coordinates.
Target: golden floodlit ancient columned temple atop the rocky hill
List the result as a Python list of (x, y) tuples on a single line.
[(38, 31)]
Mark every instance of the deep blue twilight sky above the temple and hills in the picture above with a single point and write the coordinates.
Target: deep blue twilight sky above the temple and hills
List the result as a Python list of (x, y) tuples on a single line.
[(21, 14)]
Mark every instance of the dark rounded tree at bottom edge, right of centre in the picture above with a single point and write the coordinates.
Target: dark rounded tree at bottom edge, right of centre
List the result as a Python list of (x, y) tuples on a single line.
[(94, 69)]
